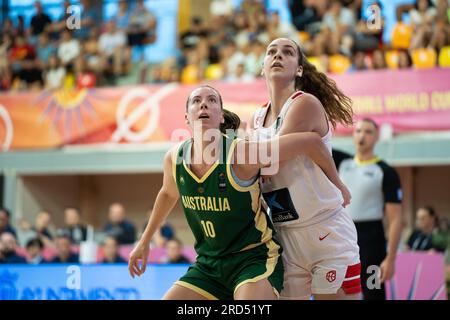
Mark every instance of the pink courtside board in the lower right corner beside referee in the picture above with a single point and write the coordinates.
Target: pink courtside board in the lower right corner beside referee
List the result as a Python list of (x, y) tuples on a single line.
[(418, 276)]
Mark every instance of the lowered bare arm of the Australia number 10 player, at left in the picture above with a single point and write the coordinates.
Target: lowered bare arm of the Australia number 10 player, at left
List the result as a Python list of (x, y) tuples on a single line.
[(165, 201)]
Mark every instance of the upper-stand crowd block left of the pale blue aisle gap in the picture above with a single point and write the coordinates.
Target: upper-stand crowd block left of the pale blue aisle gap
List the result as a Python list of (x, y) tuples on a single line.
[(54, 54)]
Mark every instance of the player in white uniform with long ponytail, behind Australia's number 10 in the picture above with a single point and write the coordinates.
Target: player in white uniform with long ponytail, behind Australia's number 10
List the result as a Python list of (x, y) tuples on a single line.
[(321, 252)]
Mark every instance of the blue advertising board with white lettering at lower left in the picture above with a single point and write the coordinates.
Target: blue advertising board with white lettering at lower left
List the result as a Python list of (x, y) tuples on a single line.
[(85, 282)]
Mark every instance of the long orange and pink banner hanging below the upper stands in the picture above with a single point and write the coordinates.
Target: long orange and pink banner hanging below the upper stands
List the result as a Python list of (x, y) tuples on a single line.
[(410, 100)]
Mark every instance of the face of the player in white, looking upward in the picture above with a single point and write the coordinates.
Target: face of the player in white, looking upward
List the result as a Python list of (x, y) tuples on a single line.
[(281, 60)]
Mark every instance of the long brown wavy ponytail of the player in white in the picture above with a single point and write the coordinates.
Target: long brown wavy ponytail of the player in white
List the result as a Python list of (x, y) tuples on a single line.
[(337, 105)]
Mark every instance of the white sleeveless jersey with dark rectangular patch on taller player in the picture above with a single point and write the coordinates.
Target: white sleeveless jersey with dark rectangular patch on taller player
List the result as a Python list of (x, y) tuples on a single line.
[(300, 193)]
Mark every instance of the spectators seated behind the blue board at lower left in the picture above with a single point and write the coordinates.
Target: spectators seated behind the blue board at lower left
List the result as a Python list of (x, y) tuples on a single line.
[(42, 243)]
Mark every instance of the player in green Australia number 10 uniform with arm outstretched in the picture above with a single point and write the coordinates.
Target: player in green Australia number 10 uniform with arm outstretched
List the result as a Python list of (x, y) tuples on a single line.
[(237, 256)]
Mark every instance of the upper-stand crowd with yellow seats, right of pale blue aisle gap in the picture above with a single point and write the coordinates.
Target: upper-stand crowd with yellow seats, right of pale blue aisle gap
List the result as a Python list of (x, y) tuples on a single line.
[(333, 34)]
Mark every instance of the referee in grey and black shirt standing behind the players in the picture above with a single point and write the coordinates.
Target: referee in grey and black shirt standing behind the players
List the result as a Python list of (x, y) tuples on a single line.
[(376, 191)]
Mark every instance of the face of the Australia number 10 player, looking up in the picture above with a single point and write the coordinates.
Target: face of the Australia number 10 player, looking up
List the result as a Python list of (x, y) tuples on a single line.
[(204, 109)]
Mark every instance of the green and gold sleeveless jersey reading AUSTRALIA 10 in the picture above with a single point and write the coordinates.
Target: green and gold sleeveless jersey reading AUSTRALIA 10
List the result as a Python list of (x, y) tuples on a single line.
[(224, 216)]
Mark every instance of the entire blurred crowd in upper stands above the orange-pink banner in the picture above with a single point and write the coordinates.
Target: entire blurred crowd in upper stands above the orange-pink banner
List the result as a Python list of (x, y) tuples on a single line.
[(229, 45)]
